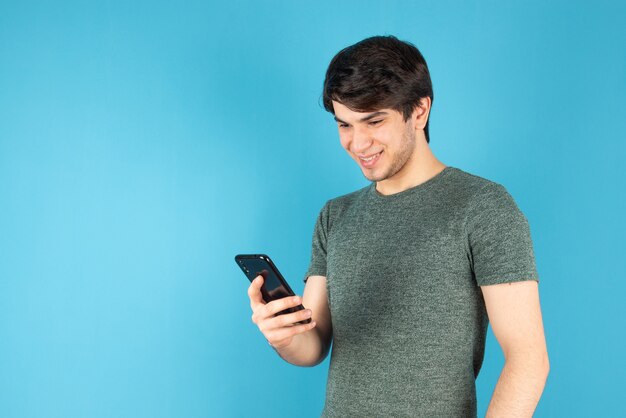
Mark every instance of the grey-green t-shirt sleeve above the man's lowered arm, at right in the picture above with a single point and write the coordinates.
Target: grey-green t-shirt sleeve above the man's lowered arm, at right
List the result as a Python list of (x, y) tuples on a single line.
[(499, 241)]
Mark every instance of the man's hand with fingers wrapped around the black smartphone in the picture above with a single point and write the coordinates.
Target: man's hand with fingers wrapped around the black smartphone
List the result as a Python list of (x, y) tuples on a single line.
[(278, 330)]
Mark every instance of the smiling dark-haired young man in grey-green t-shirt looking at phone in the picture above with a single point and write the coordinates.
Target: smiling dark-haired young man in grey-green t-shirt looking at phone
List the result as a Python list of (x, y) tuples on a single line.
[(406, 273)]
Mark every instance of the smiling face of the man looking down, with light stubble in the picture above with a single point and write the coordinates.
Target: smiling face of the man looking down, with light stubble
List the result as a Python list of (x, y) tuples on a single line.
[(381, 142)]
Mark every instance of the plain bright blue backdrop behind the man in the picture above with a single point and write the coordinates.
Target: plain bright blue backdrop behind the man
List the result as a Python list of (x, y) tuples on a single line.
[(144, 144)]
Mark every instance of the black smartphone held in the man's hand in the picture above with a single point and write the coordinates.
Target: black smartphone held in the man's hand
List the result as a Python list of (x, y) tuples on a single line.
[(274, 284)]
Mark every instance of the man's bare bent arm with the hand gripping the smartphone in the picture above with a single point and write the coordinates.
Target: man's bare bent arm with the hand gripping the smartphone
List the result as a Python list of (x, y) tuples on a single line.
[(301, 345)]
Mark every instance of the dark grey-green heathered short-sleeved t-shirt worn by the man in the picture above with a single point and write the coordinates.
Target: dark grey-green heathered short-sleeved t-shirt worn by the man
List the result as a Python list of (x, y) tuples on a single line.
[(403, 275)]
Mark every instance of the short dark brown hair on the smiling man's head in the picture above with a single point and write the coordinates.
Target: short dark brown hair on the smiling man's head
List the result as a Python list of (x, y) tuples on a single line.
[(377, 73)]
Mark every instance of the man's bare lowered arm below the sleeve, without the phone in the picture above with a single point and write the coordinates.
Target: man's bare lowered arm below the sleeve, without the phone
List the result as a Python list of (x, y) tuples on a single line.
[(515, 317)]
